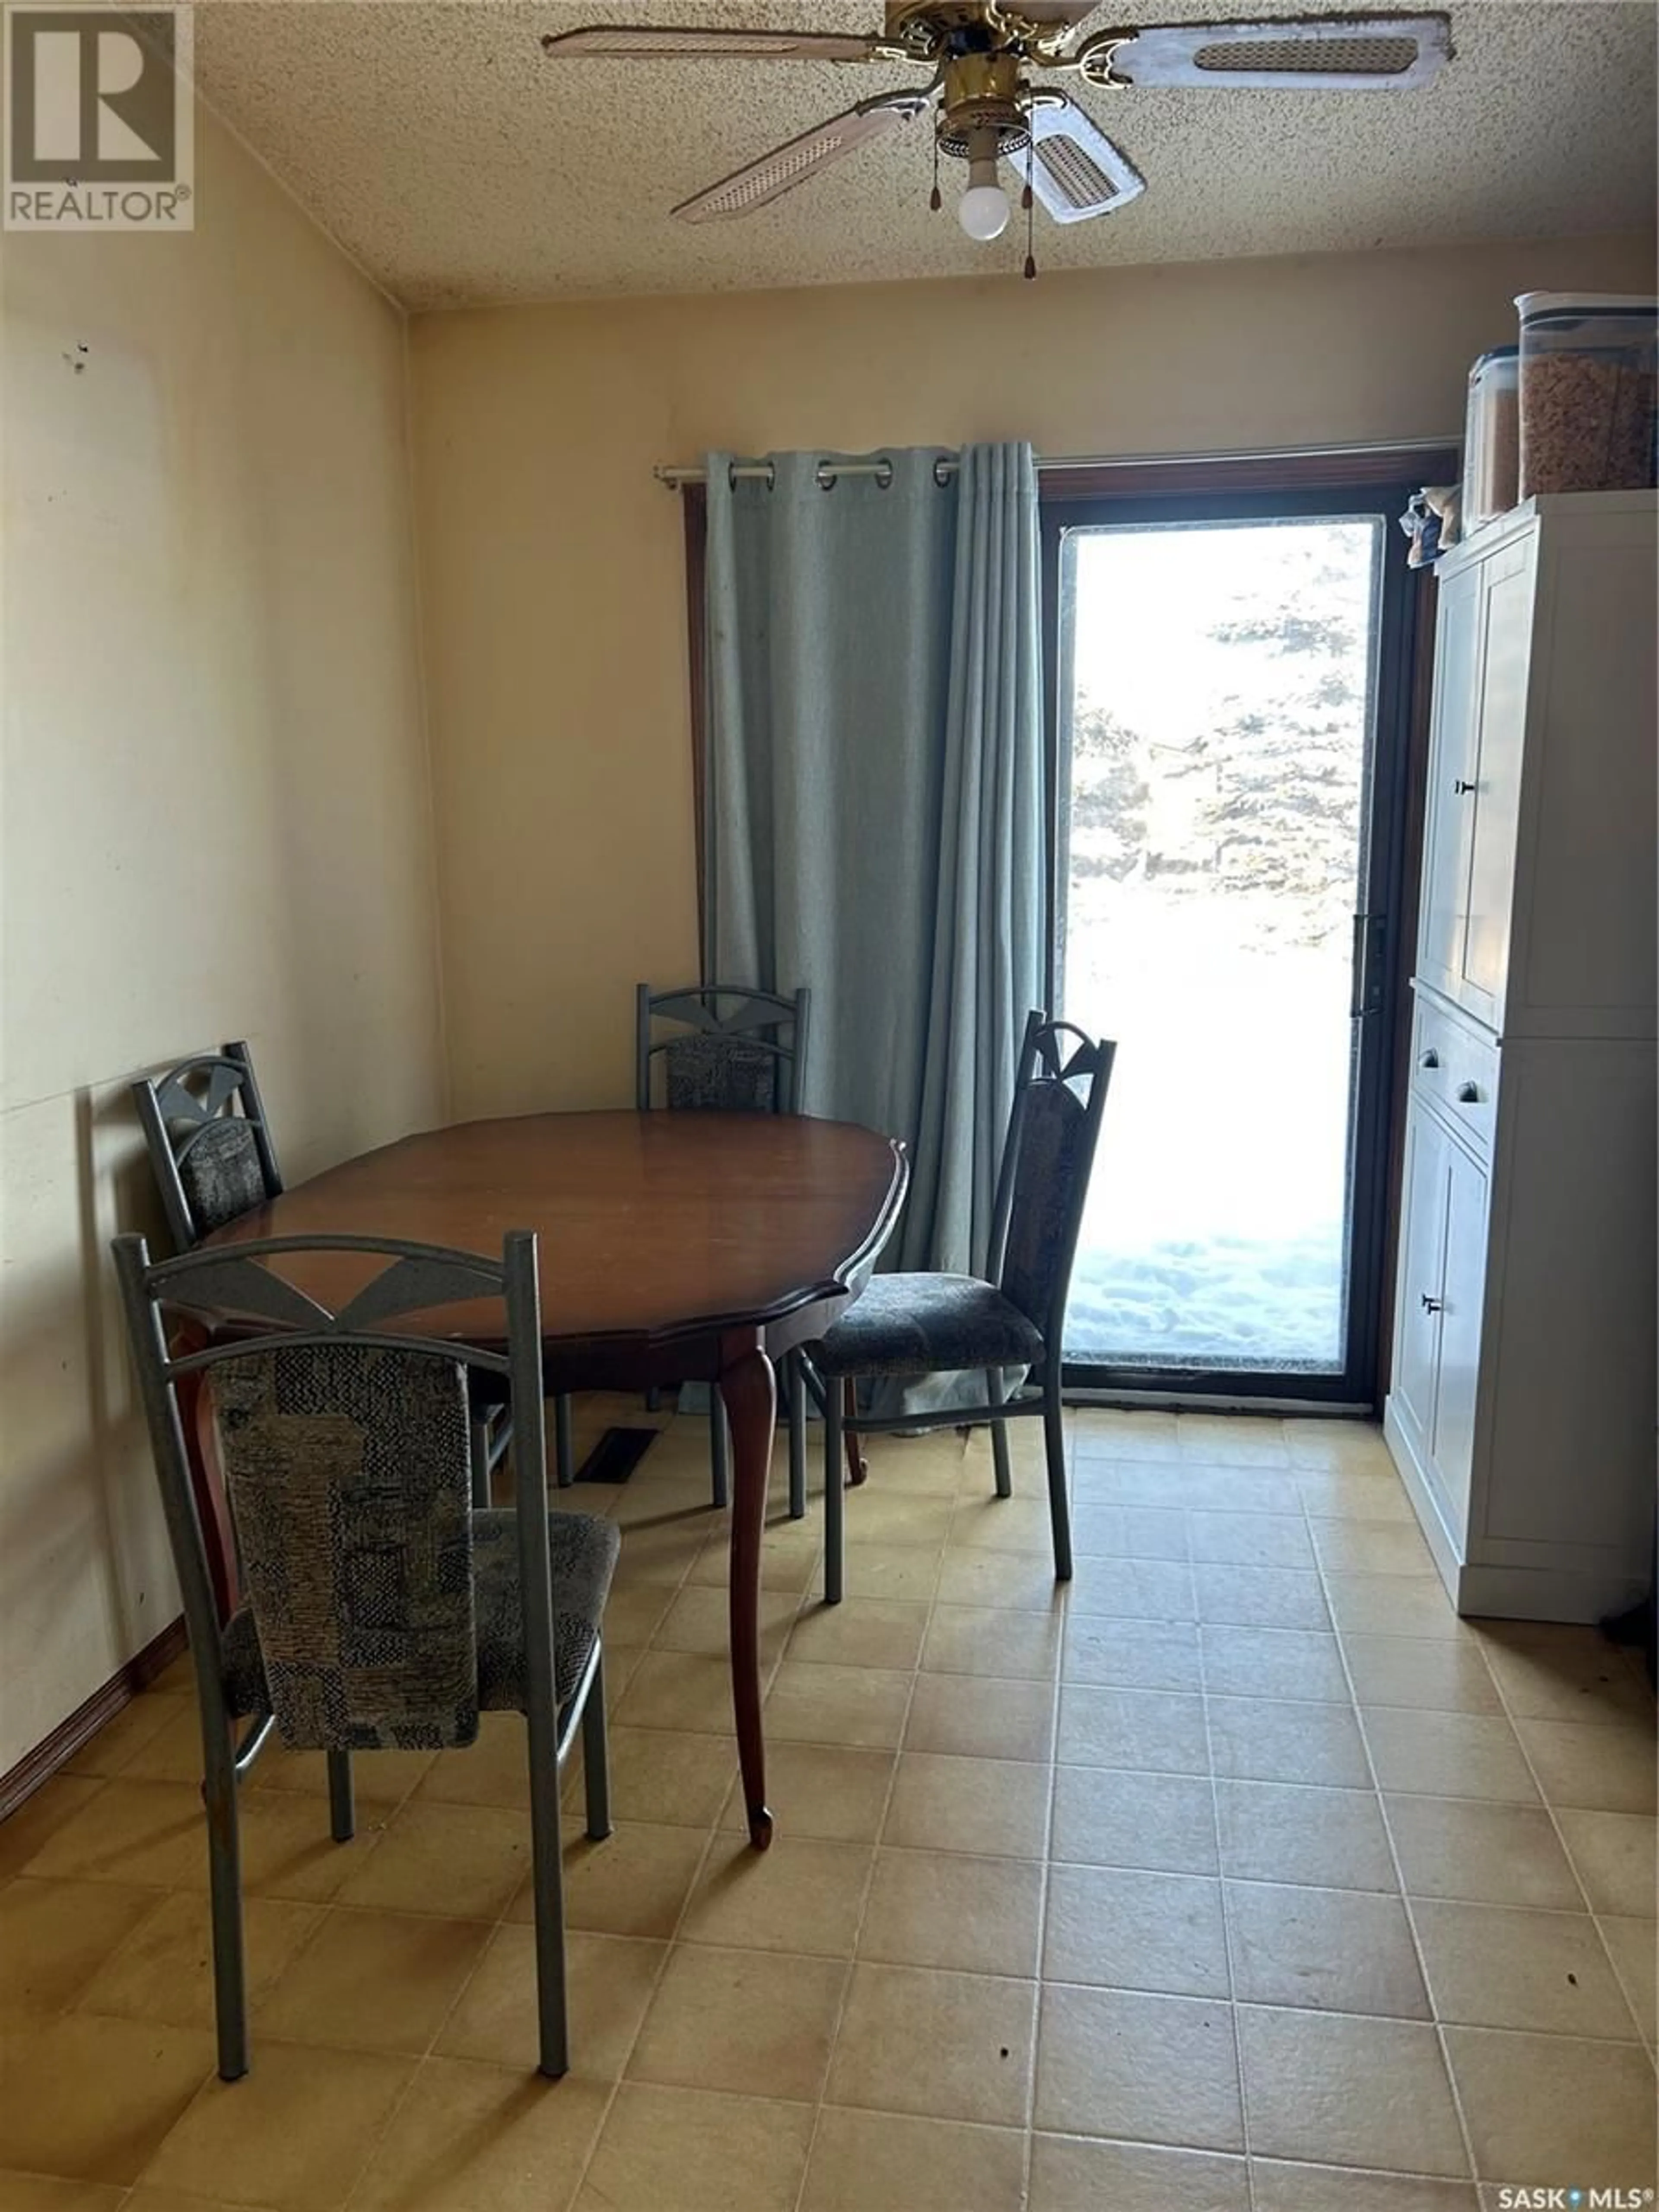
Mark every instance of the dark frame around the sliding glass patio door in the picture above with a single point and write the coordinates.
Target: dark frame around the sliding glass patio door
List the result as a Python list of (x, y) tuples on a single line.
[(1386, 928)]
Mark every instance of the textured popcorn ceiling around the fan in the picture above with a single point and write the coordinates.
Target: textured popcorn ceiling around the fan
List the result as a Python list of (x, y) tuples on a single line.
[(463, 167)]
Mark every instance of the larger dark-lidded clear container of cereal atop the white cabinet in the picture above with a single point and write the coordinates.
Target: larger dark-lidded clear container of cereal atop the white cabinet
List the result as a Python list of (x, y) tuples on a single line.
[(1589, 393)]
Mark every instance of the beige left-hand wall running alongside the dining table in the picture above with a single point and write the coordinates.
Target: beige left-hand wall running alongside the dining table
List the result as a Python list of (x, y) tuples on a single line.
[(216, 815)]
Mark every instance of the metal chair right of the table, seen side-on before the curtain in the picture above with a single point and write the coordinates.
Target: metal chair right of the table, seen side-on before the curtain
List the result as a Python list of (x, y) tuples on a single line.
[(1014, 1317)]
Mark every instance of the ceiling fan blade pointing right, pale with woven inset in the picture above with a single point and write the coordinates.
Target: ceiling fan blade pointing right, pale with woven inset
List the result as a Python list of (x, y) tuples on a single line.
[(1353, 54)]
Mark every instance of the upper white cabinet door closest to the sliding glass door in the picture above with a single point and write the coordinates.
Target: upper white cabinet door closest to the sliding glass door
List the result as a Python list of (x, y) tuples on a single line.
[(1452, 778)]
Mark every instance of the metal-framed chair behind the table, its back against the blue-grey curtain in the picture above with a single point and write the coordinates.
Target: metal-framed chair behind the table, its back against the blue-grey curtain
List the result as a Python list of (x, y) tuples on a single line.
[(731, 1050)]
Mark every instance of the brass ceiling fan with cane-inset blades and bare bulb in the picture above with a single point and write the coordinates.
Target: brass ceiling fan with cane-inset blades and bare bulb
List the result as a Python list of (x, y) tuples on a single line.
[(990, 109)]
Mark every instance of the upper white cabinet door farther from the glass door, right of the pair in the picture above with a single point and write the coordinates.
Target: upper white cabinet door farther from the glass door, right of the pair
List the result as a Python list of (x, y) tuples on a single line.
[(1494, 802)]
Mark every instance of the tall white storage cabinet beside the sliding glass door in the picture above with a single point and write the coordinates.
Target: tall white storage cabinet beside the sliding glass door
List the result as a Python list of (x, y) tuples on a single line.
[(1525, 1348)]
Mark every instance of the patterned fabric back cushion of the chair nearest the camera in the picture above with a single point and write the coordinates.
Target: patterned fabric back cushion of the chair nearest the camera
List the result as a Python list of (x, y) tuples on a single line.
[(351, 1490)]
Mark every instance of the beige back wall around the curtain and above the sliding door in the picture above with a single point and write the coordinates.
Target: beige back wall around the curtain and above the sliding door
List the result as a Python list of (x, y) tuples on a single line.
[(552, 563)]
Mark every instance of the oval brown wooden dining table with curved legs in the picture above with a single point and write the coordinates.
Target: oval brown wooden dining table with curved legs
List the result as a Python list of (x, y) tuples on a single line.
[(671, 1249)]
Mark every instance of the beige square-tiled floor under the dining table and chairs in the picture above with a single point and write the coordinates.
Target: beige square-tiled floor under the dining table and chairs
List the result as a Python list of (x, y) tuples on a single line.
[(1238, 1877)]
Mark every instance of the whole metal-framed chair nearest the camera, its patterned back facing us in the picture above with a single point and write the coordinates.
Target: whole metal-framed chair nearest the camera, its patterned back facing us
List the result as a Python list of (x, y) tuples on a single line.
[(382, 1611)]
